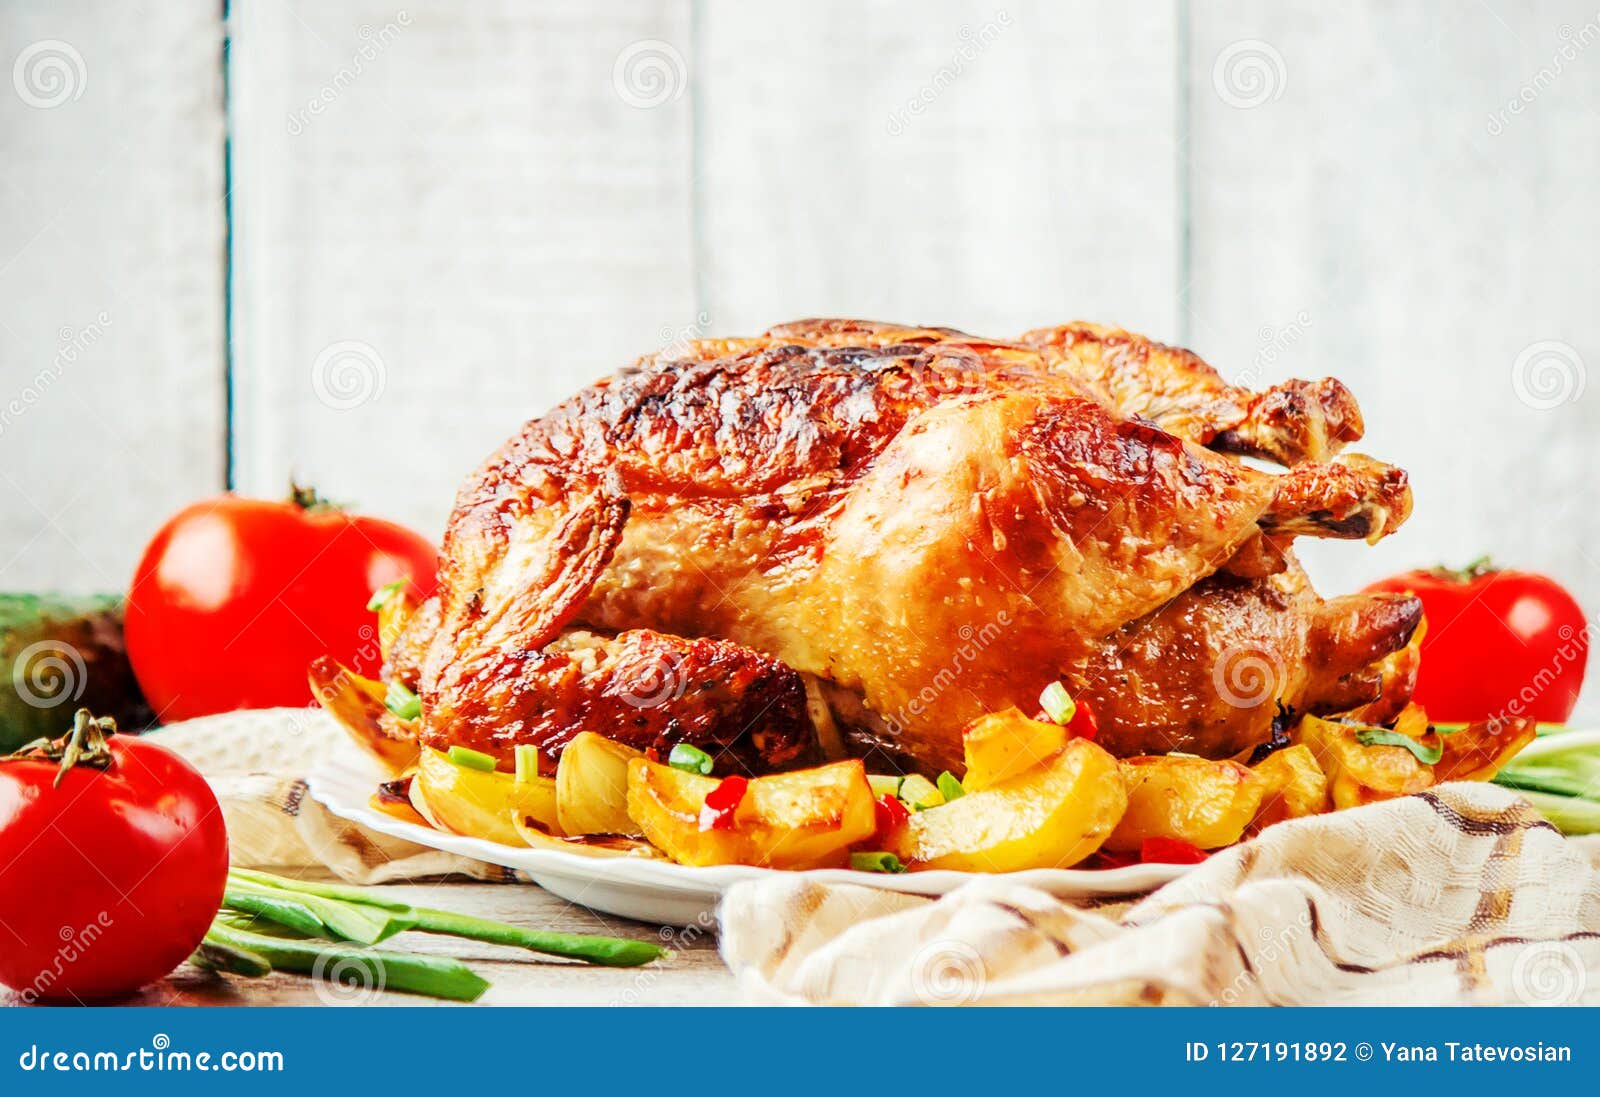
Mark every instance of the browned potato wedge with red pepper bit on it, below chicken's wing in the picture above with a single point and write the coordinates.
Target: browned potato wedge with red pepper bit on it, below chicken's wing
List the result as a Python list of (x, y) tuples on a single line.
[(802, 820)]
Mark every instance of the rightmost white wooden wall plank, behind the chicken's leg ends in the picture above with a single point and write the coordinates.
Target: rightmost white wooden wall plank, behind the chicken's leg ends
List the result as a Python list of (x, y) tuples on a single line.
[(1366, 207)]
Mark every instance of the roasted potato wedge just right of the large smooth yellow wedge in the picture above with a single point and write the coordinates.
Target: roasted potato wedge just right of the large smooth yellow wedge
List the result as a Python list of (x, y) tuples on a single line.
[(1198, 800)]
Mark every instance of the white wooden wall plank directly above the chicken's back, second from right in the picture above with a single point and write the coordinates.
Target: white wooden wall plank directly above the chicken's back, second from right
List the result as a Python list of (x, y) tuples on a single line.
[(983, 166)]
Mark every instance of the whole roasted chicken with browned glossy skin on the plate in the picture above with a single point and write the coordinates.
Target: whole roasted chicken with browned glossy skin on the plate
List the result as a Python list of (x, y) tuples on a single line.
[(850, 537)]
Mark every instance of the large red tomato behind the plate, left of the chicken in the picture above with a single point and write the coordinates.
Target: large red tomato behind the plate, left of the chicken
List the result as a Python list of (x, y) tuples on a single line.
[(236, 597)]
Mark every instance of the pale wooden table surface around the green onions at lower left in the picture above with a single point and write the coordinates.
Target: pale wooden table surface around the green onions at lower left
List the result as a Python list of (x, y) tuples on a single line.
[(692, 975)]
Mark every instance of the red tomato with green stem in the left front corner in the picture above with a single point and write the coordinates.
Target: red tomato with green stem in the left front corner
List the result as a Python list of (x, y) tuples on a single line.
[(113, 877)]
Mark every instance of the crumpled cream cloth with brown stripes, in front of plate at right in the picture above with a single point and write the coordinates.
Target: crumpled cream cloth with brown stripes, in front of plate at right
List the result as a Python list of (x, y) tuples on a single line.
[(1457, 896)]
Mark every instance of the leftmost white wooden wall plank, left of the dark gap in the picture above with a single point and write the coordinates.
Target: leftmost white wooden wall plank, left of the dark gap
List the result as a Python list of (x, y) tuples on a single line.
[(111, 282)]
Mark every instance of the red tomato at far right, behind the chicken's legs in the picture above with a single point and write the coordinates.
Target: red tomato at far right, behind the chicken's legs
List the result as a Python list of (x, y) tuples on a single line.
[(1498, 644)]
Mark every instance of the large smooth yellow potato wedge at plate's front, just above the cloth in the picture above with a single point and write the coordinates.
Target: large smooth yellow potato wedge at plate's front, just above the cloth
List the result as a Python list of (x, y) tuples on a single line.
[(1052, 816)]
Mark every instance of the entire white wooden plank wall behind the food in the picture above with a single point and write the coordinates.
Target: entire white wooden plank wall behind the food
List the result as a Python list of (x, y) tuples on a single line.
[(450, 217)]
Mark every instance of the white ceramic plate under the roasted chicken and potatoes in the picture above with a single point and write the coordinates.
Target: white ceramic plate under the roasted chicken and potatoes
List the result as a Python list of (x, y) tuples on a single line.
[(660, 892)]
